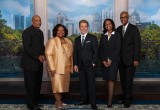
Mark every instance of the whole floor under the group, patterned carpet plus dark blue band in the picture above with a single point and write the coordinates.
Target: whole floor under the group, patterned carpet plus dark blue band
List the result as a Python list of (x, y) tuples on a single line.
[(19, 104)]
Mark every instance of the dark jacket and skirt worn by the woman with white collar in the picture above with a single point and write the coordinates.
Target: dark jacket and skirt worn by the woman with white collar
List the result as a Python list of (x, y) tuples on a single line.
[(110, 49)]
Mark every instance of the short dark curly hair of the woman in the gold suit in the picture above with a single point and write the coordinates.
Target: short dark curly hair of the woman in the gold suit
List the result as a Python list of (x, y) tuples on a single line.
[(55, 29)]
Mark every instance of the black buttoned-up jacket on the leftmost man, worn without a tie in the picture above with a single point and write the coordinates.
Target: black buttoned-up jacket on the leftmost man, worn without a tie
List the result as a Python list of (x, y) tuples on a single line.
[(33, 47)]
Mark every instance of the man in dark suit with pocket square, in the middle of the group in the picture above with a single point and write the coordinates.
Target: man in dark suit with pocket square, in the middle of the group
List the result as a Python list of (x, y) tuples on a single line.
[(85, 58)]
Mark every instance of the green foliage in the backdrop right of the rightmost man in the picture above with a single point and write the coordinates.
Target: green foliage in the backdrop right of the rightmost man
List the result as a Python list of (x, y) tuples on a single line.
[(150, 42)]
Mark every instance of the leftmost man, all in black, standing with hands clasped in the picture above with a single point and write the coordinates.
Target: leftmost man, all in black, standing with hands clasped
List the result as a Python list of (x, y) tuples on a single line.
[(32, 62)]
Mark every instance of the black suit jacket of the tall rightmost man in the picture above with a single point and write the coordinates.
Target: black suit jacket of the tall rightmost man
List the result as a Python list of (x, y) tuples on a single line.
[(131, 44)]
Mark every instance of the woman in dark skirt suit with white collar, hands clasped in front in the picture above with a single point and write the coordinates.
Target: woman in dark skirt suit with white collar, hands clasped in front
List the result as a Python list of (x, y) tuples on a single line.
[(110, 45)]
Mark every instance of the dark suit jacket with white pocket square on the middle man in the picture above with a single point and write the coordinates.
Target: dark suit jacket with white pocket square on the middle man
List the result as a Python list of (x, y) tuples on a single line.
[(86, 54)]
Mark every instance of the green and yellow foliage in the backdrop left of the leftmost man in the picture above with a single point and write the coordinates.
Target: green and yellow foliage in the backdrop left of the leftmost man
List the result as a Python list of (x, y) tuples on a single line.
[(10, 40)]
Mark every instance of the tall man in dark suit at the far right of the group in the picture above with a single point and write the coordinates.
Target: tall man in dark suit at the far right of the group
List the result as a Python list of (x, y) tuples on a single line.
[(130, 56)]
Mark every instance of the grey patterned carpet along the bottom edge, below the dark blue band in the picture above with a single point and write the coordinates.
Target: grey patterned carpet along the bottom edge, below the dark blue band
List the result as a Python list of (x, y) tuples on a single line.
[(87, 107)]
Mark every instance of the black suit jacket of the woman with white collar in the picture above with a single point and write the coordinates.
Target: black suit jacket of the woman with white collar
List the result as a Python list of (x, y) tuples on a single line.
[(110, 48)]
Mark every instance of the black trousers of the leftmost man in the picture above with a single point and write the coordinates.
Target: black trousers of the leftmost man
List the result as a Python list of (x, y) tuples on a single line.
[(32, 80)]
